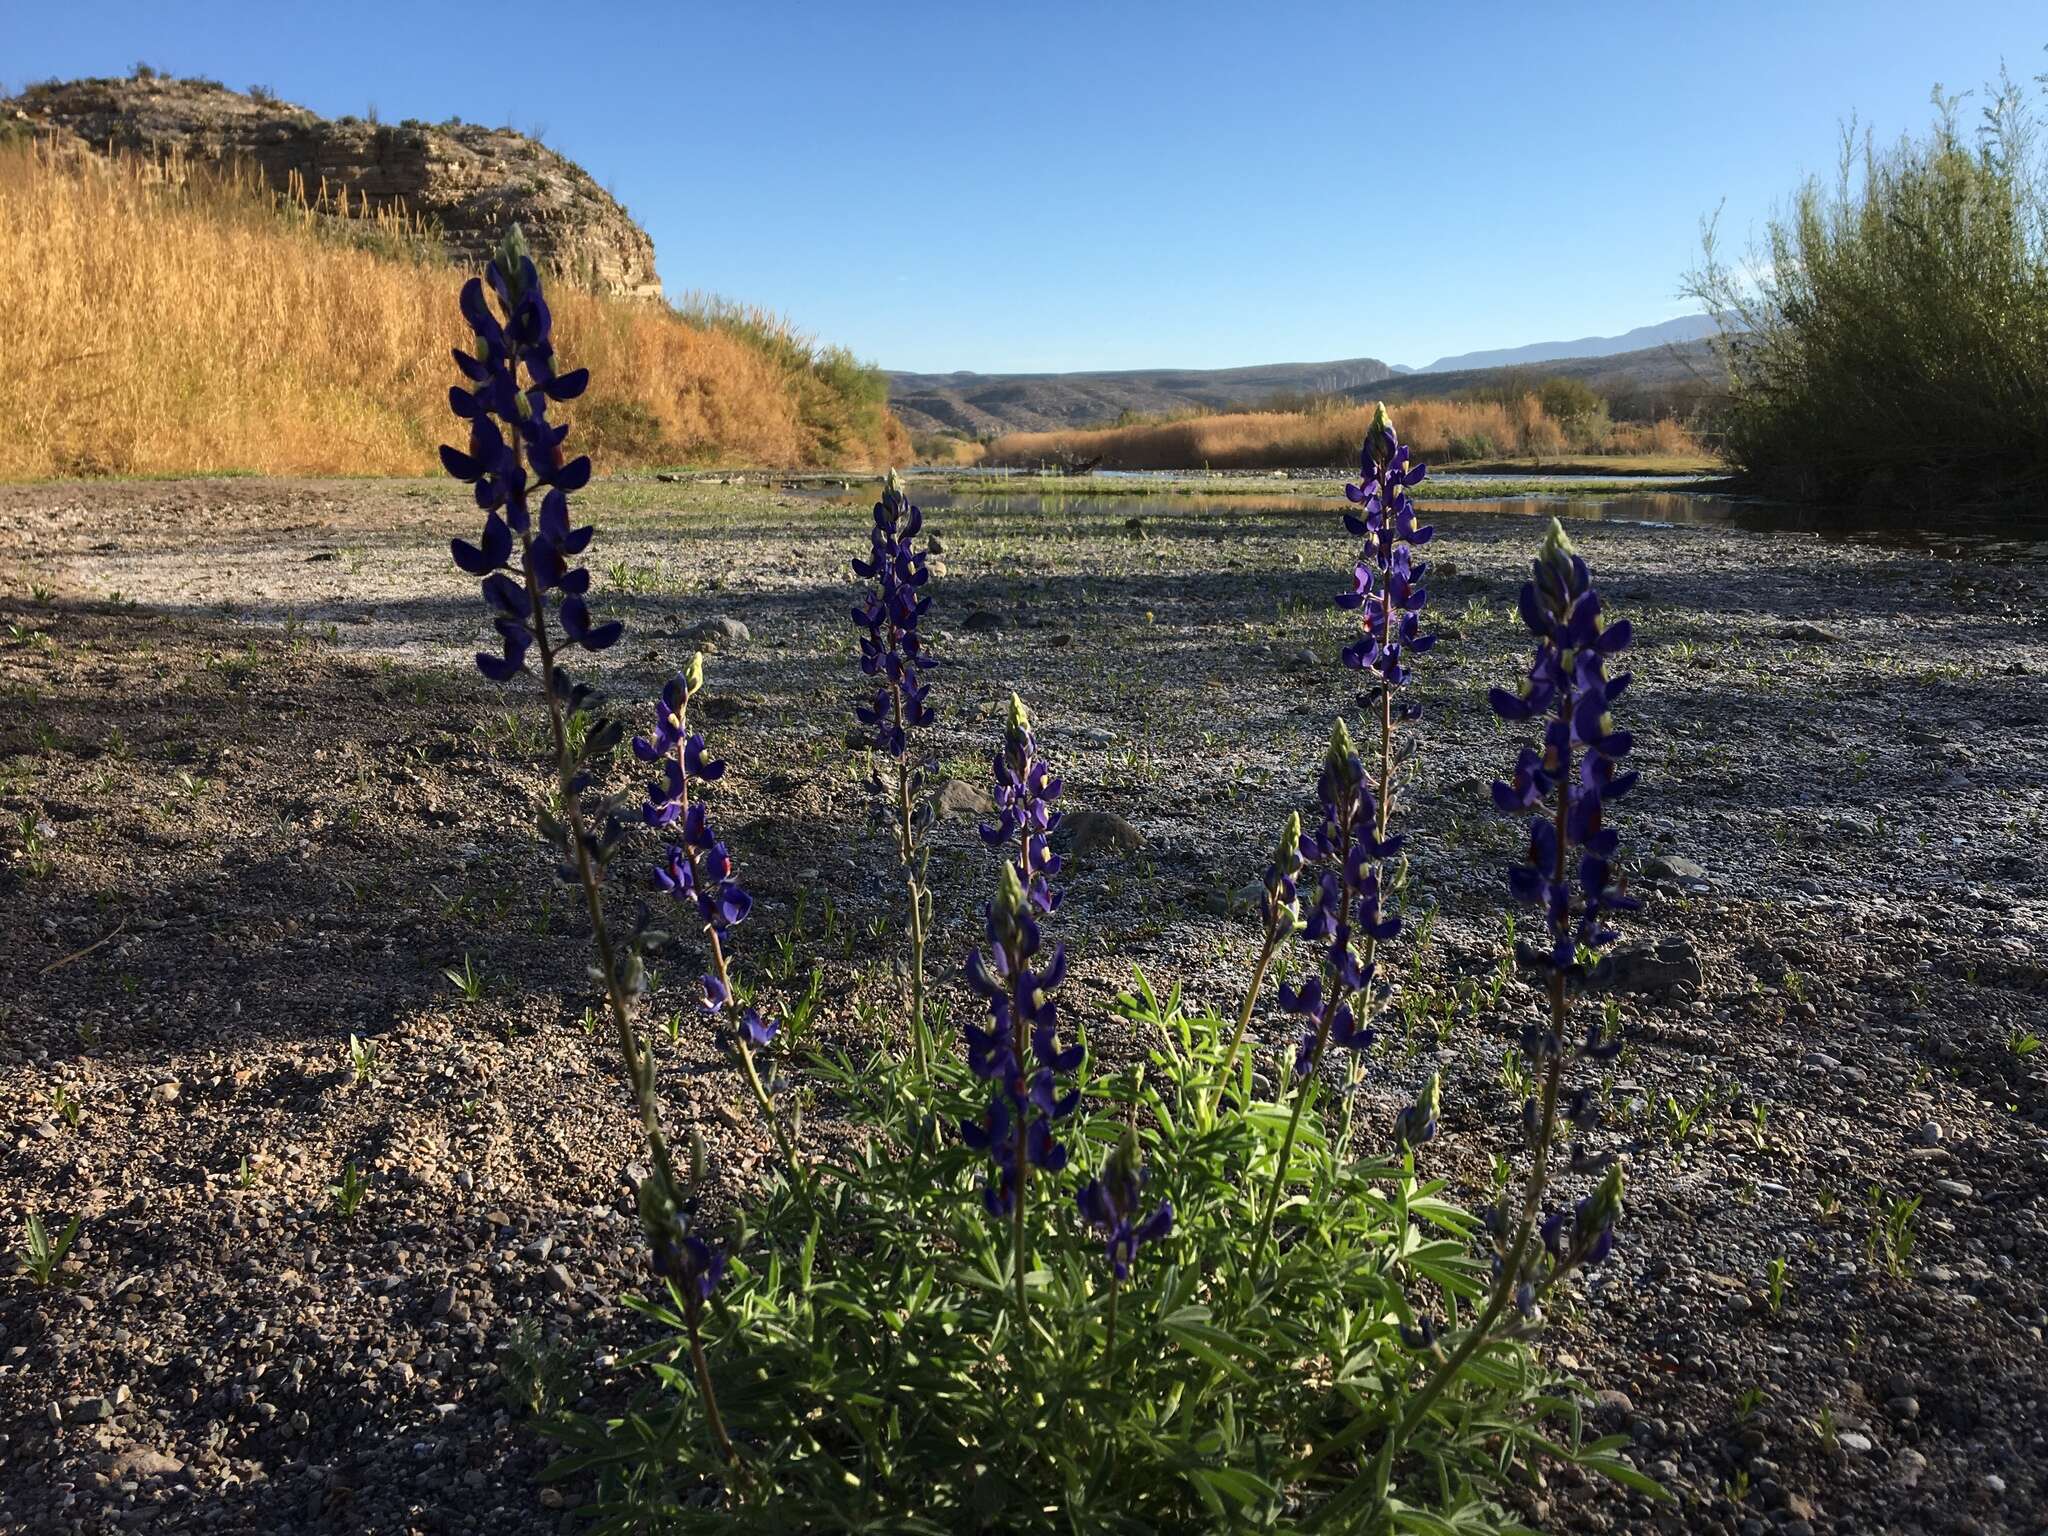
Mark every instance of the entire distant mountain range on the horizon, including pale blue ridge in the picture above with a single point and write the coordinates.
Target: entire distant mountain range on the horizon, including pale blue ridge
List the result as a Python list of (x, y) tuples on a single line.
[(1646, 364)]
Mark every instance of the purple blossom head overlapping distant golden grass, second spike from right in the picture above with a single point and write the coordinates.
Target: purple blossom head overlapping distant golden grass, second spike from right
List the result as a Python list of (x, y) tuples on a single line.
[(1388, 585)]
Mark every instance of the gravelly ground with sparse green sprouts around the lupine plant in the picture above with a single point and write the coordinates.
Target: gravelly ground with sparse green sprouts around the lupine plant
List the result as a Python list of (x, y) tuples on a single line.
[(257, 804)]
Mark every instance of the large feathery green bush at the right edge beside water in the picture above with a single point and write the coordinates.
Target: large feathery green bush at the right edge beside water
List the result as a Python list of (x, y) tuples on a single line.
[(1891, 337)]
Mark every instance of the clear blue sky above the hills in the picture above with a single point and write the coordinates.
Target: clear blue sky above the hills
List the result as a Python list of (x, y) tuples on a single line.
[(1129, 185)]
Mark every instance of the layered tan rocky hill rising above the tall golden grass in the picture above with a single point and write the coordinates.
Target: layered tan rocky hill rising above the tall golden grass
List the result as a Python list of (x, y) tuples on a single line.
[(464, 179)]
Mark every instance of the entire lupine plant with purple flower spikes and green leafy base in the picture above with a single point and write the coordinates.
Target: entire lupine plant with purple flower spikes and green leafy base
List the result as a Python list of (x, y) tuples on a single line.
[(966, 1334)]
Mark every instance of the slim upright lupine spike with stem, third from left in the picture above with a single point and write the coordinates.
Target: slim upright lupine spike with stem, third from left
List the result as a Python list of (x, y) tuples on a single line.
[(894, 656)]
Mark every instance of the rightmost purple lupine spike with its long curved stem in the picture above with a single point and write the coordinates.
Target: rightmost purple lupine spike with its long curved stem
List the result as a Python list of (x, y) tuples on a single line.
[(1568, 871)]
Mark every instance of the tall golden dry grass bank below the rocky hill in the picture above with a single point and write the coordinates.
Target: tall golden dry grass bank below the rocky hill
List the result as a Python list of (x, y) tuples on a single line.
[(167, 321)]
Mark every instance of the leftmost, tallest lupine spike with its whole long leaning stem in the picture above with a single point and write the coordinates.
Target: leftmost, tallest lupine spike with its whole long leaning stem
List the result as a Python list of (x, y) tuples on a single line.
[(523, 560)]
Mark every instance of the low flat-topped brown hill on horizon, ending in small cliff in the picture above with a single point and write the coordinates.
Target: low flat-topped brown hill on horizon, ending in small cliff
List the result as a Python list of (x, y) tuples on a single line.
[(984, 404)]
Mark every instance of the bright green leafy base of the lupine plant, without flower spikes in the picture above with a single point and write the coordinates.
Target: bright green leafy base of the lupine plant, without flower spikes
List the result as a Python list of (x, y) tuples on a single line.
[(869, 1349)]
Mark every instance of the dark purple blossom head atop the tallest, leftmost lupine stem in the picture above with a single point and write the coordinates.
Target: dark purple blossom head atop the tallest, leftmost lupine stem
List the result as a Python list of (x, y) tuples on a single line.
[(515, 454)]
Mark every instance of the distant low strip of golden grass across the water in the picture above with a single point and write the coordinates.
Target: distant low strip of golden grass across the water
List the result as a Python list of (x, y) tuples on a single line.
[(1441, 431)]
